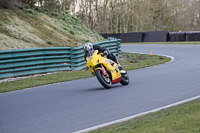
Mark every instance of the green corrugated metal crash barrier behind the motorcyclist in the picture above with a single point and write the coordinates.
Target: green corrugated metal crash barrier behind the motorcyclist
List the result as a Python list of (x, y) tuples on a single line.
[(21, 62)]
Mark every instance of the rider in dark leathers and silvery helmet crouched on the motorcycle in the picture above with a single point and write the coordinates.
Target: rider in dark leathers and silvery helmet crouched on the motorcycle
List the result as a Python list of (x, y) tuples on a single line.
[(89, 46)]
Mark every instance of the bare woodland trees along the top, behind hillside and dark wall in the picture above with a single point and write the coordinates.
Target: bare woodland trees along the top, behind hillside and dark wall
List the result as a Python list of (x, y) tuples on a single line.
[(114, 16)]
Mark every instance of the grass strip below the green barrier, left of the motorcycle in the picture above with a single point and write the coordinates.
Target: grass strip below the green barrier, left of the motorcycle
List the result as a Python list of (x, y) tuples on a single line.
[(43, 80)]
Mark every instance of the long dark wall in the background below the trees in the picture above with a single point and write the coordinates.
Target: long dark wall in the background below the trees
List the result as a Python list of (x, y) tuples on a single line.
[(156, 36)]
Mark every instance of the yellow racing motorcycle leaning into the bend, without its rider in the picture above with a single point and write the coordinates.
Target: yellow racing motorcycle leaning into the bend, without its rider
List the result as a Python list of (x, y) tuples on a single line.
[(106, 70)]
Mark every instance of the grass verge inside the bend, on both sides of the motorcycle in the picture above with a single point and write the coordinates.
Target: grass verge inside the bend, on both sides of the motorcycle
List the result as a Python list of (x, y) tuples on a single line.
[(129, 61)]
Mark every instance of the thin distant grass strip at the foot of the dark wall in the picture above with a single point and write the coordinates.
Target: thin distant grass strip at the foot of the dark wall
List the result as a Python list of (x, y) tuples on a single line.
[(191, 42)]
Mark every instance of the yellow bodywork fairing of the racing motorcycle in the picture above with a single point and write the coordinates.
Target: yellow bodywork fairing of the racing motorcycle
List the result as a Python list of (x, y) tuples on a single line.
[(96, 59)]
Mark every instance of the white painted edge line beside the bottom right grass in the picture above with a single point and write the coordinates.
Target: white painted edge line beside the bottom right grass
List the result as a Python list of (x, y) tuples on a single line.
[(134, 116)]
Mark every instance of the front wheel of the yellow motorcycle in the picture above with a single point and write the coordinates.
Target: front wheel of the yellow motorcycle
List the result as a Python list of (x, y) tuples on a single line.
[(105, 81)]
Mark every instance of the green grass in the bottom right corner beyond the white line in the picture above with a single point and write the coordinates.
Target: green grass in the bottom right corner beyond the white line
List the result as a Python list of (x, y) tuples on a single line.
[(184, 118)]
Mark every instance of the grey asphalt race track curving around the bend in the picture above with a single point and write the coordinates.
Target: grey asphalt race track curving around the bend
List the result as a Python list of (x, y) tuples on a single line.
[(75, 105)]
